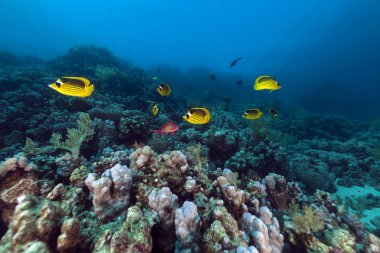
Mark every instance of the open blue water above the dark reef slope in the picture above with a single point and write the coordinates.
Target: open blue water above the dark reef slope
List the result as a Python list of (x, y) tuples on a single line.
[(326, 54)]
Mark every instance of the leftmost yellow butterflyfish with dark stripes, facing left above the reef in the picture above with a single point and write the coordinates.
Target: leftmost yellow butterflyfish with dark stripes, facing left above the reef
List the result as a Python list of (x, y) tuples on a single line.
[(73, 86)]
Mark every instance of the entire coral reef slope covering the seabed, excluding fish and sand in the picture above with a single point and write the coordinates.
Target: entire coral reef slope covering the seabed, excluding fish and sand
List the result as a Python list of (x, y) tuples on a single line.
[(88, 175)]
